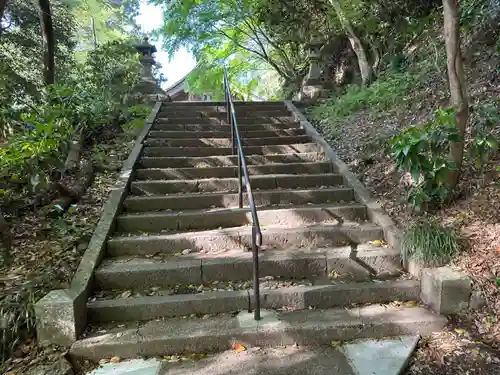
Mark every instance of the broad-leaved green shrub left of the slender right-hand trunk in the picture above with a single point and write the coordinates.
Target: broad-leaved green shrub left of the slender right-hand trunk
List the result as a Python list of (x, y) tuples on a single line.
[(423, 152)]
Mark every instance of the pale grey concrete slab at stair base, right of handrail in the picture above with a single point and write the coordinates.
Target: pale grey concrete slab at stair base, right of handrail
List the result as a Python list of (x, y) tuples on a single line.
[(380, 357)]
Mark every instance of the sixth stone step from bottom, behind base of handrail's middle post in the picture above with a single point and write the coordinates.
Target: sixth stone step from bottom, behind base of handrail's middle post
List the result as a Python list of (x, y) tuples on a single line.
[(213, 200)]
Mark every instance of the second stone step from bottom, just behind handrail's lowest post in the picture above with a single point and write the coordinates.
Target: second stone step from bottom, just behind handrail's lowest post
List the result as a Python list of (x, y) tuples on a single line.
[(293, 298)]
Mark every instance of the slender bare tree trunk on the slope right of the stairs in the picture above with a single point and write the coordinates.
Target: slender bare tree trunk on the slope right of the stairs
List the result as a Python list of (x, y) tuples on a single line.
[(456, 78)]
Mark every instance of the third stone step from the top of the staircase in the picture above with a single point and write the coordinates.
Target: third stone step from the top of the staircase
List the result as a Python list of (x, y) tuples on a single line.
[(223, 121)]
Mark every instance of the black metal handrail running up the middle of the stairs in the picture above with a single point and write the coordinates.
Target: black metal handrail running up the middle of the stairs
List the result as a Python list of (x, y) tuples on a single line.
[(237, 148)]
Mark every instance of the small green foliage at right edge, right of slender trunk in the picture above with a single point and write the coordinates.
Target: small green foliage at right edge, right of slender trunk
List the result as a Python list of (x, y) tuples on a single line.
[(484, 118)]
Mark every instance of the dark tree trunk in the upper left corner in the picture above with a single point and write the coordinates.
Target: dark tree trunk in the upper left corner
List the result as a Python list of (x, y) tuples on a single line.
[(48, 41)]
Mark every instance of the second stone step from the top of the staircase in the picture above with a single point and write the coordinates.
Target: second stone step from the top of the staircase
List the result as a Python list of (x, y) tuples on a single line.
[(241, 112)]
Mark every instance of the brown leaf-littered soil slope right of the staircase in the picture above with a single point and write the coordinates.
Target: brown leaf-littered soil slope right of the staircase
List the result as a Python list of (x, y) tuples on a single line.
[(471, 342)]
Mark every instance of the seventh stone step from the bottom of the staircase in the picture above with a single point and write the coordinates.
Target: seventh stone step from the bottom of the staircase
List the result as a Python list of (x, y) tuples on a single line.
[(266, 182)]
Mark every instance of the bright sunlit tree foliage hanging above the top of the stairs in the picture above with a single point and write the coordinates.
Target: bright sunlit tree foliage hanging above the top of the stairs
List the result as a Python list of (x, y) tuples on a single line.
[(229, 32)]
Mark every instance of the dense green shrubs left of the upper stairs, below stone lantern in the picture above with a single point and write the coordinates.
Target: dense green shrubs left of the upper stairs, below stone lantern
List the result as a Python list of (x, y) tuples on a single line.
[(87, 102)]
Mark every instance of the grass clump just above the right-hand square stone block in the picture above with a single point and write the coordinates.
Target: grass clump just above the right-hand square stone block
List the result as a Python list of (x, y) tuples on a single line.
[(430, 244)]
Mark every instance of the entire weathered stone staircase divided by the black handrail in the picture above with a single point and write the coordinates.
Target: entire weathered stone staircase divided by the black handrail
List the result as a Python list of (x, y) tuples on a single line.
[(177, 273)]
